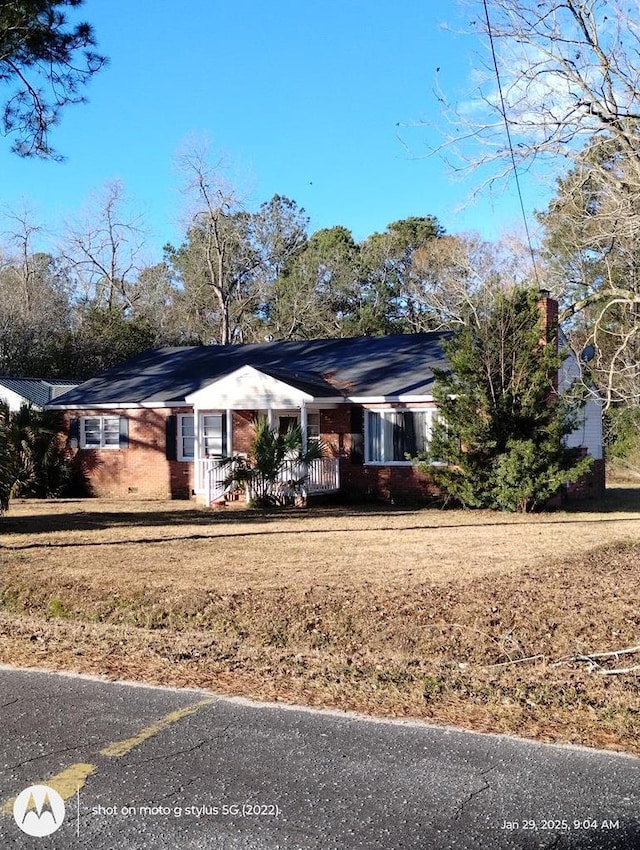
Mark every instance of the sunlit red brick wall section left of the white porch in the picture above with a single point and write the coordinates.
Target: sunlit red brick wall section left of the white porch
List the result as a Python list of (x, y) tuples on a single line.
[(142, 470)]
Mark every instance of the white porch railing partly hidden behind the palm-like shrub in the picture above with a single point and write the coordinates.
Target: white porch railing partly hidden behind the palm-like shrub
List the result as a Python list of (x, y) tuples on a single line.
[(322, 476)]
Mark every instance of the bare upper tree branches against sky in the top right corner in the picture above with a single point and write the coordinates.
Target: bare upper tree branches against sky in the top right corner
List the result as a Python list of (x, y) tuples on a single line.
[(569, 72)]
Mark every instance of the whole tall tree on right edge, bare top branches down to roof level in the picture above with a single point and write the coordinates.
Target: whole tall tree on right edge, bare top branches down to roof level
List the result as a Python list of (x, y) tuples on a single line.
[(570, 97)]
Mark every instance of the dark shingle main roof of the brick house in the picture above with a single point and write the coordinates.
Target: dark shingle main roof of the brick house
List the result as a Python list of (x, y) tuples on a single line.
[(355, 366)]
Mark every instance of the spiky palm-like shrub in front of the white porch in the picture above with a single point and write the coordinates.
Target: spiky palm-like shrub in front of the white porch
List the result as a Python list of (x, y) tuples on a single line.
[(275, 470)]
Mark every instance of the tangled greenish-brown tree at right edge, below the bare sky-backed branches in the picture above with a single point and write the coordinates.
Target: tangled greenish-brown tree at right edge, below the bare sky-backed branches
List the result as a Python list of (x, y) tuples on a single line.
[(592, 260)]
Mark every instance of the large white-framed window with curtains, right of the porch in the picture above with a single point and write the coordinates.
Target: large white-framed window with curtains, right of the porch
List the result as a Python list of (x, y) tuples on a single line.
[(391, 435)]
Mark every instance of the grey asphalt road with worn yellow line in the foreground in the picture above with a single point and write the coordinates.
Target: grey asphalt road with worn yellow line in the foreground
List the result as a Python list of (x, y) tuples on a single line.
[(156, 768)]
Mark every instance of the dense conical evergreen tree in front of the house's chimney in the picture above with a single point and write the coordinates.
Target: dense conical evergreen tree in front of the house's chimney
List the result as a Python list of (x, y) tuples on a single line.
[(499, 435)]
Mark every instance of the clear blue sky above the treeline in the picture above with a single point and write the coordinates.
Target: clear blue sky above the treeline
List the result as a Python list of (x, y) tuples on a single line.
[(315, 101)]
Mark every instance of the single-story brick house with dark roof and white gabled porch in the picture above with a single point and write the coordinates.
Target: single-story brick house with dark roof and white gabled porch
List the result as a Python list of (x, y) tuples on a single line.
[(157, 425)]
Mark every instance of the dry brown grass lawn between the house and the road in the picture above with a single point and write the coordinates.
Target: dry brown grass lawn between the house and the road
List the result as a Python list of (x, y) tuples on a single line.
[(421, 613)]
